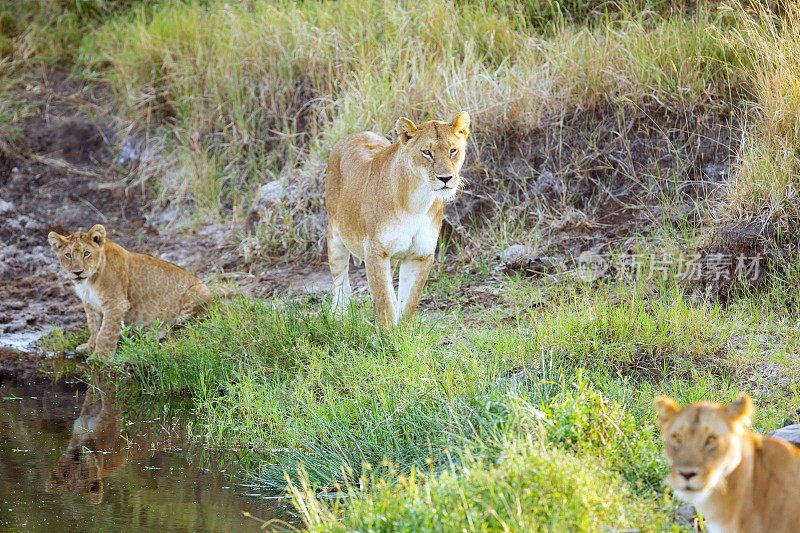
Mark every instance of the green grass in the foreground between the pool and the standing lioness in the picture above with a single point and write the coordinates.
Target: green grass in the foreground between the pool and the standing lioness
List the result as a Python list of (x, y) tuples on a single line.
[(409, 421)]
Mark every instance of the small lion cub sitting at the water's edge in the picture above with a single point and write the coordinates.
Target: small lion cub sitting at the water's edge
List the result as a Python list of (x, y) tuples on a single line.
[(116, 285)]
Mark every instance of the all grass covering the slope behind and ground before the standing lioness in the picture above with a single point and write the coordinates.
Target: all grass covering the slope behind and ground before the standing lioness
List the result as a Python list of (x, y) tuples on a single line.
[(526, 405)]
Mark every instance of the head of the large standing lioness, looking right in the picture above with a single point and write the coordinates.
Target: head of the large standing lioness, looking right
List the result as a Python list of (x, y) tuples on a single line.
[(436, 151)]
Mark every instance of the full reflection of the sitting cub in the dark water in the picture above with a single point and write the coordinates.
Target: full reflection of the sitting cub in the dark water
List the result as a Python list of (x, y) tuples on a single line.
[(98, 447)]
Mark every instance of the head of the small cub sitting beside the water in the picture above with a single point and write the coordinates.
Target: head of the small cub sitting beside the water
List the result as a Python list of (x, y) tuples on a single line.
[(80, 253)]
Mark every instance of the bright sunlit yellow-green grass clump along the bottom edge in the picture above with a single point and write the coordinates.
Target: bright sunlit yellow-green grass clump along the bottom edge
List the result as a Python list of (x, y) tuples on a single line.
[(532, 487)]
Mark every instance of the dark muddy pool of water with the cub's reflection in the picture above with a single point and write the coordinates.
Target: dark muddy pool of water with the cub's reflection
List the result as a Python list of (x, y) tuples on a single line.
[(76, 456)]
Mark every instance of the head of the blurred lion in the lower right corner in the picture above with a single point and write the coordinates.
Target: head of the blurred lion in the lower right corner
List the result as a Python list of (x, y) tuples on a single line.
[(703, 443)]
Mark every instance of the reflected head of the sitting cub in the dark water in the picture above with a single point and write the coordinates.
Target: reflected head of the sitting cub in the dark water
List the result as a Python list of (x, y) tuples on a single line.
[(78, 470)]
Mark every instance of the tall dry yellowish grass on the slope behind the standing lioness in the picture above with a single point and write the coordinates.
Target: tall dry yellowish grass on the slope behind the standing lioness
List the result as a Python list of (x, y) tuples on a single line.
[(259, 91)]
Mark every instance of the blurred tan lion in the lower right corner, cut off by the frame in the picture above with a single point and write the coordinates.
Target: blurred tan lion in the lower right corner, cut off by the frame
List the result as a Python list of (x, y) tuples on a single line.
[(739, 480)]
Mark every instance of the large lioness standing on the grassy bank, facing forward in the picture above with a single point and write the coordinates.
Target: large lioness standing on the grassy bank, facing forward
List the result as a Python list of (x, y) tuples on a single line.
[(385, 204)]
